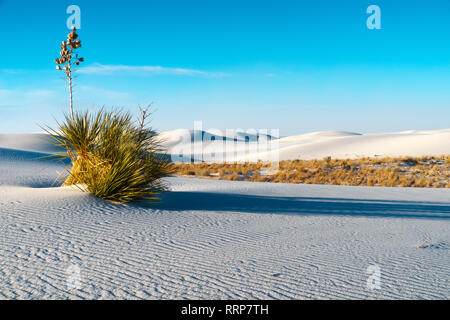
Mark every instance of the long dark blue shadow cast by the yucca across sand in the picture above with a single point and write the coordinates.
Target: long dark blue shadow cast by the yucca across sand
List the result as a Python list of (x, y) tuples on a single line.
[(222, 202)]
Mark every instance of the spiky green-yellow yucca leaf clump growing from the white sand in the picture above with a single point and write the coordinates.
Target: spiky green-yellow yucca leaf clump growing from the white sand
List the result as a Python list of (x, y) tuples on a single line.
[(112, 156)]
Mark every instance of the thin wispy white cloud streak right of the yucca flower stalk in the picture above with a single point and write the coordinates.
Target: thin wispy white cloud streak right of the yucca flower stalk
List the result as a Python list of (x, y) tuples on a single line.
[(102, 69)]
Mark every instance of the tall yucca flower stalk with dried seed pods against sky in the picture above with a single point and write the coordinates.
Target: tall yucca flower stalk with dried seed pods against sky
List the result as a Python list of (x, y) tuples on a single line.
[(69, 59)]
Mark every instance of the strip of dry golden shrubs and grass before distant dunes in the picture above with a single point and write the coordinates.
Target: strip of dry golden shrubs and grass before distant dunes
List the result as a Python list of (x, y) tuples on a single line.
[(426, 171)]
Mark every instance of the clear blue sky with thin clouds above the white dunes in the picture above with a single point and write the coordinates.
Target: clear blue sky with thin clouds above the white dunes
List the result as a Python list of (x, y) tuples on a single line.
[(299, 66)]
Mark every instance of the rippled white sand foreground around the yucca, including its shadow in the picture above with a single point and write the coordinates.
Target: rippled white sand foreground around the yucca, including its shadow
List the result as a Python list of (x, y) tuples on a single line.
[(219, 239)]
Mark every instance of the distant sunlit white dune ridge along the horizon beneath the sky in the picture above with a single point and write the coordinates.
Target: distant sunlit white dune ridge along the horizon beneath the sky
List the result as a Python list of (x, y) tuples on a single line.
[(247, 146)]
